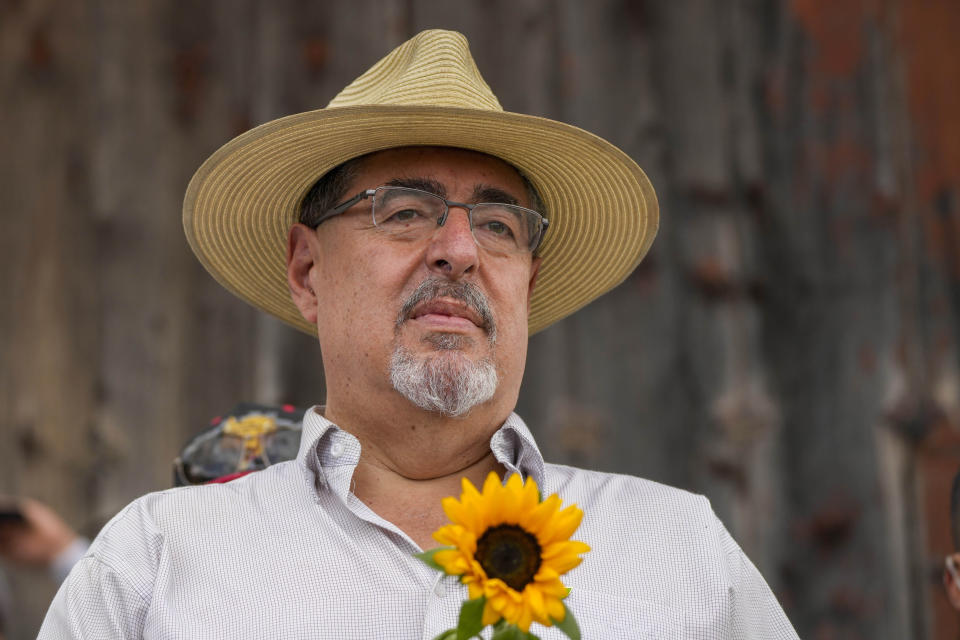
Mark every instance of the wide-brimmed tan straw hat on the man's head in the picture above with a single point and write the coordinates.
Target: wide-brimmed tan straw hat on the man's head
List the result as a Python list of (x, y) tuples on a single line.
[(242, 201)]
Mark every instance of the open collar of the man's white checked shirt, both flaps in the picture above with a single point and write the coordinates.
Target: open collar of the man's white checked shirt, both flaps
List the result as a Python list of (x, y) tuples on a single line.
[(325, 450)]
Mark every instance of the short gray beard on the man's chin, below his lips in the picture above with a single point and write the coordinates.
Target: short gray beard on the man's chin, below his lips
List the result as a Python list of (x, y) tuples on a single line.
[(445, 381)]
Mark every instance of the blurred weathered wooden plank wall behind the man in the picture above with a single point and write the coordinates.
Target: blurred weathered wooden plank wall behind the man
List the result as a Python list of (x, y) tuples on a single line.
[(789, 348)]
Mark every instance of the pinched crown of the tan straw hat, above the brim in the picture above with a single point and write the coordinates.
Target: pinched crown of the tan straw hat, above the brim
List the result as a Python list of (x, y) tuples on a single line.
[(434, 69)]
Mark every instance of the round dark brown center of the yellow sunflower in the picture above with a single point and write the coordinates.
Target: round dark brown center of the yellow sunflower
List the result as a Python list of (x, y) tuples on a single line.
[(509, 553)]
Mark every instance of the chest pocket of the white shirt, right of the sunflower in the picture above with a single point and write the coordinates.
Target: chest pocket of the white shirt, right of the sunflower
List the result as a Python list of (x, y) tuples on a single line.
[(602, 616)]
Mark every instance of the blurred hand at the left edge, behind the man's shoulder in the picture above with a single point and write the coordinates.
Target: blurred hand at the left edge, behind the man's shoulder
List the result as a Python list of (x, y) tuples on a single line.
[(37, 540)]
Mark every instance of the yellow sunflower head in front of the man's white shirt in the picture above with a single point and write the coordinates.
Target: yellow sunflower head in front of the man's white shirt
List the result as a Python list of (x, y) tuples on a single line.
[(511, 548)]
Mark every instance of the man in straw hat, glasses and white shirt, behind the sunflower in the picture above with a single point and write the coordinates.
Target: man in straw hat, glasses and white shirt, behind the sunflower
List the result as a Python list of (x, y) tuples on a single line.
[(427, 233)]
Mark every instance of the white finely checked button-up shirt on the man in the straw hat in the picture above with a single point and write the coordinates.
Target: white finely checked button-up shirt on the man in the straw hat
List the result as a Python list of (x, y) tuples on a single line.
[(290, 552)]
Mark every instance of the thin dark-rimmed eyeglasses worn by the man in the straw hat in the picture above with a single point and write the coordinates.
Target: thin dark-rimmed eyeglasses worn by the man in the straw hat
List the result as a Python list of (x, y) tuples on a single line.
[(414, 214)]
